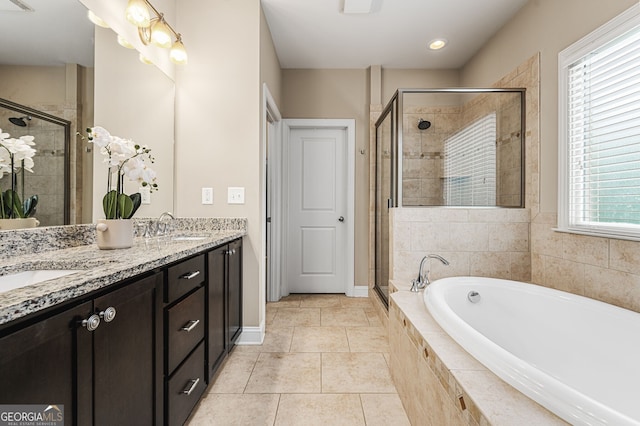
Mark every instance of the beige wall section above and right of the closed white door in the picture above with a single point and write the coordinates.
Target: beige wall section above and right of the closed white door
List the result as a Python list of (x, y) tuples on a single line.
[(331, 93)]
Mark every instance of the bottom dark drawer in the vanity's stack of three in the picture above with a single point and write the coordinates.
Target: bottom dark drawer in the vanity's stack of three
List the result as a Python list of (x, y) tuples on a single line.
[(185, 387)]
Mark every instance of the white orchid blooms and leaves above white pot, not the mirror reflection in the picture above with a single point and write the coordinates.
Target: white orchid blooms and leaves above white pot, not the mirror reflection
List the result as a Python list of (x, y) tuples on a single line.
[(124, 157)]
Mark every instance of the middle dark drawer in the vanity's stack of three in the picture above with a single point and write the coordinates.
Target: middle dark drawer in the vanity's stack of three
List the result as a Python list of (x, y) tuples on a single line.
[(185, 322)]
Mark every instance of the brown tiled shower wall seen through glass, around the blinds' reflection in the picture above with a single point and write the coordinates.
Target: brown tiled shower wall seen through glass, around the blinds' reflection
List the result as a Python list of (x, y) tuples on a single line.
[(423, 150)]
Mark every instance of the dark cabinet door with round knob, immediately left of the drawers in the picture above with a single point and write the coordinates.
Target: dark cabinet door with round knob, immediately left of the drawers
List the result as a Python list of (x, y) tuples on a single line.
[(125, 355)]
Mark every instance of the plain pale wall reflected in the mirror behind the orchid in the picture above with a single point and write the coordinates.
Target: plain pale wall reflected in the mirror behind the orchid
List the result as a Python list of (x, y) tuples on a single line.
[(133, 101)]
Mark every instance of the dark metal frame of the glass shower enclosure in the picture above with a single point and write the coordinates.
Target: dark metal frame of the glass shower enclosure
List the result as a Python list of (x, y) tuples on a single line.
[(395, 111)]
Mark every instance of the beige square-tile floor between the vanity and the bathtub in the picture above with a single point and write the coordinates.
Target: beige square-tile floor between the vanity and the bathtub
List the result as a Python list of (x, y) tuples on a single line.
[(324, 361)]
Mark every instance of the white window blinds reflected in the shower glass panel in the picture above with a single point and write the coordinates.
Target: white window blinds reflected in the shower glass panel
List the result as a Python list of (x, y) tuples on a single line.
[(470, 165)]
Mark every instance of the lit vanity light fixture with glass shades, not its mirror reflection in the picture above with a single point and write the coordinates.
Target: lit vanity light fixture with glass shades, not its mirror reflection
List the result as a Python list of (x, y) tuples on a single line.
[(155, 29)]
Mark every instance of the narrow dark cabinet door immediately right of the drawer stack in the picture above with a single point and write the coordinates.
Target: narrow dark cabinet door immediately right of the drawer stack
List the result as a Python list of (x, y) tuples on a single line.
[(216, 324)]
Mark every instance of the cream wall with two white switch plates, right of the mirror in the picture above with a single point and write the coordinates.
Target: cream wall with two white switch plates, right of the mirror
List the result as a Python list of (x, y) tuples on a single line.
[(218, 124)]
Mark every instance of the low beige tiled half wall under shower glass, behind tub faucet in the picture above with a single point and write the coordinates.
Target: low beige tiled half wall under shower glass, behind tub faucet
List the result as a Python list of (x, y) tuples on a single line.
[(490, 242)]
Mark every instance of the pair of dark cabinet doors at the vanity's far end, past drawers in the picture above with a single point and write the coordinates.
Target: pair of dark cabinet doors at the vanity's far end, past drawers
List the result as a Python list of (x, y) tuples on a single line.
[(224, 302)]
